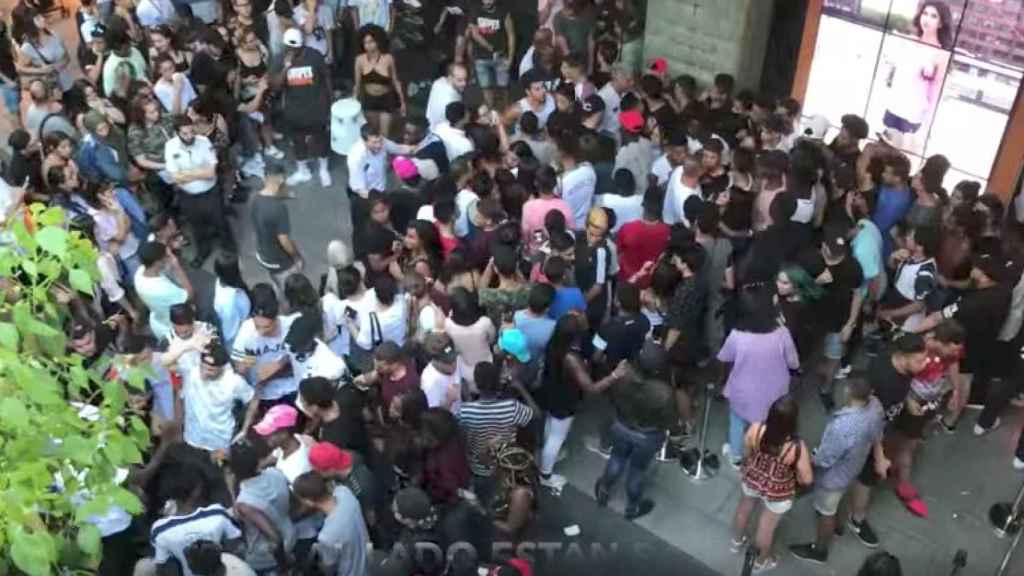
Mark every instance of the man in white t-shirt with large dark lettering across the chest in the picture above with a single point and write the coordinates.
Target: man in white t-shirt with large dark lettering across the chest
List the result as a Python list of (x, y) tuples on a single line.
[(260, 352)]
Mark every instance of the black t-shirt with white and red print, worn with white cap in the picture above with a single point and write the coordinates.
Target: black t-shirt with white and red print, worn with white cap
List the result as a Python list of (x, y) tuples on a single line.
[(308, 96)]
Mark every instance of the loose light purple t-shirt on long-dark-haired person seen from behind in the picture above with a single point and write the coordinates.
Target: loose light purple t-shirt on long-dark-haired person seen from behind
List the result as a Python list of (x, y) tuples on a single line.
[(760, 376)]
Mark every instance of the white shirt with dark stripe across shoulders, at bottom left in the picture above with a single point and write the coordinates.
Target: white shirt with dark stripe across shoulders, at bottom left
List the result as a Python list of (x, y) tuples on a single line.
[(170, 537)]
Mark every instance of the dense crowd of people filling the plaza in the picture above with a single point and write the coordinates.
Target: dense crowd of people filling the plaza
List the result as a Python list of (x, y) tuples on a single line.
[(582, 234)]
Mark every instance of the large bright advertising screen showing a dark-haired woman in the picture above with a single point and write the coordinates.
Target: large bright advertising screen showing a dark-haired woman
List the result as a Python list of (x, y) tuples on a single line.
[(929, 76)]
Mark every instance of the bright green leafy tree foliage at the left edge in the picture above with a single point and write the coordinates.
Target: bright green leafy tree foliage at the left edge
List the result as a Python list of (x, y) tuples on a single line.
[(42, 435)]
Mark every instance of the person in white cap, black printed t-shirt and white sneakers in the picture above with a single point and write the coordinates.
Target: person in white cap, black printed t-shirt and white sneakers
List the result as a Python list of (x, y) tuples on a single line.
[(307, 96)]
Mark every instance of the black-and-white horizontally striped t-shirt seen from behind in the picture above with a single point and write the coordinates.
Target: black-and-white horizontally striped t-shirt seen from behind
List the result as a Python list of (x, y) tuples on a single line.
[(487, 421)]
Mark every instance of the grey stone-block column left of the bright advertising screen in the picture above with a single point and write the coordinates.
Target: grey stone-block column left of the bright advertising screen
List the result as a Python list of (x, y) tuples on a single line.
[(706, 37)]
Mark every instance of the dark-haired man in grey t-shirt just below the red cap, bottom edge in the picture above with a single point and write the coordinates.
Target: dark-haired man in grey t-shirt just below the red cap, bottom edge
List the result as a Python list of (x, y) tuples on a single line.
[(343, 542)]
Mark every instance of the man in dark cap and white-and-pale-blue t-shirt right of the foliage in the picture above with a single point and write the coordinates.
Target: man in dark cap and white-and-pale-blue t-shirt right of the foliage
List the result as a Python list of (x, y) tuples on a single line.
[(209, 395)]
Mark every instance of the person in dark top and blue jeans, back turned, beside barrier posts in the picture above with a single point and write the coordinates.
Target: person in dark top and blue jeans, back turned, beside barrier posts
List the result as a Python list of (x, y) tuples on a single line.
[(645, 412)]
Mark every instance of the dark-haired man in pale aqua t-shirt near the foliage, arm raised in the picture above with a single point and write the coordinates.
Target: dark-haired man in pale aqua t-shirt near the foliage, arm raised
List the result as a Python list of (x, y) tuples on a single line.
[(156, 291)]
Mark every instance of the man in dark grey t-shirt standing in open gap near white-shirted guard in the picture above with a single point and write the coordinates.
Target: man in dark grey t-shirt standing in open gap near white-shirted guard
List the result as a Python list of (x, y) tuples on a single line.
[(276, 251)]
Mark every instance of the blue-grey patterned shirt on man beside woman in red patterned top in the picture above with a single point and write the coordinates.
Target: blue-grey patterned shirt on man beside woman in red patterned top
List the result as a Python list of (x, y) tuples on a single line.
[(848, 440)]
